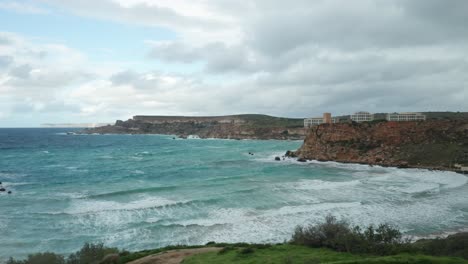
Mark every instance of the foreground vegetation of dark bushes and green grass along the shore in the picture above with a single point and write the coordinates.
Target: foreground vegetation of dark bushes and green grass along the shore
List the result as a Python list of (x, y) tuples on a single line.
[(331, 241)]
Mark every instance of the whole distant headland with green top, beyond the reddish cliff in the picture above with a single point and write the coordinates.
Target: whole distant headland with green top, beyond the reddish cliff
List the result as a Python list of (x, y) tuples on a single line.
[(228, 127)]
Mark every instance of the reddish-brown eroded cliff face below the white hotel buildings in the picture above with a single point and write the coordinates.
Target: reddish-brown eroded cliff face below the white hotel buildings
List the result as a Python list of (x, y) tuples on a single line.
[(429, 144)]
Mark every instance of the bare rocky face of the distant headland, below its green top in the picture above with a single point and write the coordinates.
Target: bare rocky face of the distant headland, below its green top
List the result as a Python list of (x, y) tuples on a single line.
[(235, 129)]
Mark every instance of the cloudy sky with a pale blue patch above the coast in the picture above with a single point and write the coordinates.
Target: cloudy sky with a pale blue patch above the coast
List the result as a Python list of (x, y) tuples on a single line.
[(67, 61)]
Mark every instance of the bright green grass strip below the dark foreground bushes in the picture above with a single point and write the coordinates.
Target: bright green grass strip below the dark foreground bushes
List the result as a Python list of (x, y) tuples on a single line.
[(291, 254)]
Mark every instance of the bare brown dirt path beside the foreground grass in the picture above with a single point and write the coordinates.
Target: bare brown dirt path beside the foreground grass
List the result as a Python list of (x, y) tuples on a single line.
[(173, 256)]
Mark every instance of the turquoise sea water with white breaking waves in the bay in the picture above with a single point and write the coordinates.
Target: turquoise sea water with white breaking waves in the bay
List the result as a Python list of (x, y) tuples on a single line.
[(147, 191)]
